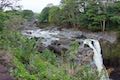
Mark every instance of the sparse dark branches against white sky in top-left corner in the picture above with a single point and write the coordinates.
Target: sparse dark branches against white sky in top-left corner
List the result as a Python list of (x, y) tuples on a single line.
[(9, 4)]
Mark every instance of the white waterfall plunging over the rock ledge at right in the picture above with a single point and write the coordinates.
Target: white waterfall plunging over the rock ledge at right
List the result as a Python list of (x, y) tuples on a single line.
[(97, 58)]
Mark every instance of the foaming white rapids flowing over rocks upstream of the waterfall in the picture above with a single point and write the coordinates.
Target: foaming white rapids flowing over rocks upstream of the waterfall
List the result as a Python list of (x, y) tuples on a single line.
[(47, 36)]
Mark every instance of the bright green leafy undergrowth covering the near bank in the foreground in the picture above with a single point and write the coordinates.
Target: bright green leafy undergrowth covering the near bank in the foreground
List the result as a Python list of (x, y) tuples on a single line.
[(31, 65)]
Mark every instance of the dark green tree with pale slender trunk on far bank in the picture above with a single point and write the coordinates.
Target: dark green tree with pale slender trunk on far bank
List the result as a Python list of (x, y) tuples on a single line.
[(96, 14)]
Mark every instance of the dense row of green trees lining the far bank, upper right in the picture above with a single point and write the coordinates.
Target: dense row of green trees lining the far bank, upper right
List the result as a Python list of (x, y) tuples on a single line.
[(87, 14)]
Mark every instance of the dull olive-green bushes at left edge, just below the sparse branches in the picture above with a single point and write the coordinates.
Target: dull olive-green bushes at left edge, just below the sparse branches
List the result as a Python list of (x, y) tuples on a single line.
[(11, 20)]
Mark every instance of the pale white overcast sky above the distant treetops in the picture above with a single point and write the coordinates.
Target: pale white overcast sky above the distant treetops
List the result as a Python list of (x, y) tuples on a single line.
[(37, 5)]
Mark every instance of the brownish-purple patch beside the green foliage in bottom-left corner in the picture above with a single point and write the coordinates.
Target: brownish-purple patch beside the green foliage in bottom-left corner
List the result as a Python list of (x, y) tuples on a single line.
[(5, 61)]
